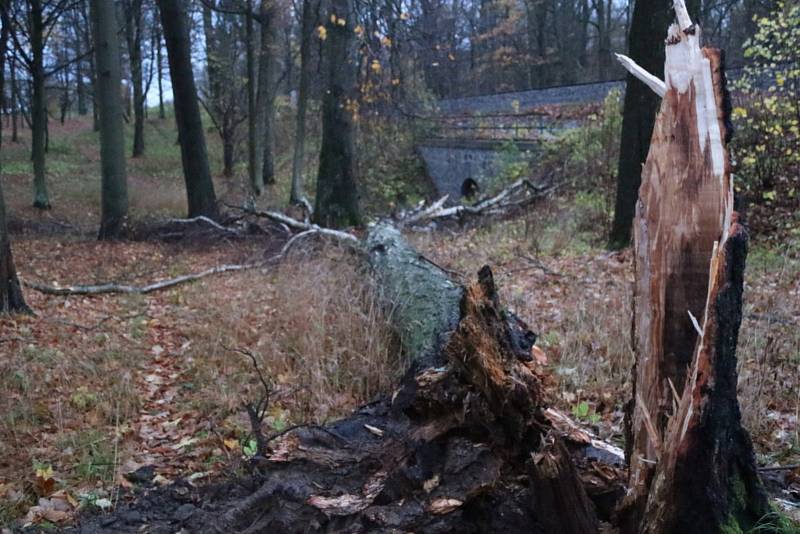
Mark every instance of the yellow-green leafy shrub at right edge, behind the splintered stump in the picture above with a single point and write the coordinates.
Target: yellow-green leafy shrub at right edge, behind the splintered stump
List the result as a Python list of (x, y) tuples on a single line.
[(766, 146)]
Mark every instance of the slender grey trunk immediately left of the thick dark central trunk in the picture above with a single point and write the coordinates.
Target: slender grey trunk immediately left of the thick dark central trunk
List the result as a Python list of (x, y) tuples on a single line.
[(306, 29)]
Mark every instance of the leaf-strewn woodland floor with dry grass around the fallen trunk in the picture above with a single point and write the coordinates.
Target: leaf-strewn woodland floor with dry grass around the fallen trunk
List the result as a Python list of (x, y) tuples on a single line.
[(101, 393)]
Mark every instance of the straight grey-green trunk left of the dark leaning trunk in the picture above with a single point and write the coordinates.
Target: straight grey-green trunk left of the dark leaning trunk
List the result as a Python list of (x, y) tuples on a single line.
[(112, 140)]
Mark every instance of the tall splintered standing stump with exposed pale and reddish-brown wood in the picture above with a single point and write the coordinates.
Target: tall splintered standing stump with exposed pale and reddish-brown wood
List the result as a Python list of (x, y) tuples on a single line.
[(692, 467)]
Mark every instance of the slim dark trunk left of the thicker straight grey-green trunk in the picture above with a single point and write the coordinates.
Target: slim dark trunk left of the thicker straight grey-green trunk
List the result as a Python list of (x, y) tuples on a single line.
[(41, 199)]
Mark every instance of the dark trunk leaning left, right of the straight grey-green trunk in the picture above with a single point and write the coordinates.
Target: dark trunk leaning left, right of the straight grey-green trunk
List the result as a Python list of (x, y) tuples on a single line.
[(199, 186)]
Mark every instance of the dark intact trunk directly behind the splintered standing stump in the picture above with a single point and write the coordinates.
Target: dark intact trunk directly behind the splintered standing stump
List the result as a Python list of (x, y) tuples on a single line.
[(645, 47)]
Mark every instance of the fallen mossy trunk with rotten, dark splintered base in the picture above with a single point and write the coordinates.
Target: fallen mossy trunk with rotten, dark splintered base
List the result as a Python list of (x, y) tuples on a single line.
[(463, 445)]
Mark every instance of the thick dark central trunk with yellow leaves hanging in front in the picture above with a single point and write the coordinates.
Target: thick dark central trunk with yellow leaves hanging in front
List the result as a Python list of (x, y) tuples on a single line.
[(337, 196)]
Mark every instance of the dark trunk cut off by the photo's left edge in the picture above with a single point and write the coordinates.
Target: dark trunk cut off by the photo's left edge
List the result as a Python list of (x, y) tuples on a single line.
[(11, 299)]
